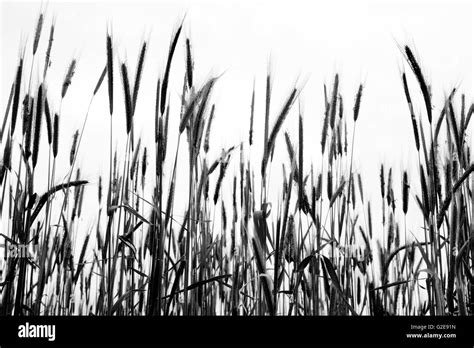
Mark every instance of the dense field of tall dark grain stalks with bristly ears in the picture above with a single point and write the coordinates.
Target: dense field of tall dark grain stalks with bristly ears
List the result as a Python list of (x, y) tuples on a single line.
[(315, 249)]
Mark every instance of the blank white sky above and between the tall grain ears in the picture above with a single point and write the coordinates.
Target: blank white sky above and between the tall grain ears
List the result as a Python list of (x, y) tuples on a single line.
[(310, 39)]
